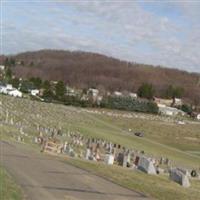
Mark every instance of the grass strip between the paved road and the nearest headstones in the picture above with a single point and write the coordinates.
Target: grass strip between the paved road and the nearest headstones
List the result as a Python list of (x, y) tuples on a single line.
[(158, 187)]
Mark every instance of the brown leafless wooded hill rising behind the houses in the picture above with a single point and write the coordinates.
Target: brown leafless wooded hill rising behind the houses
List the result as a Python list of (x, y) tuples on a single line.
[(81, 69)]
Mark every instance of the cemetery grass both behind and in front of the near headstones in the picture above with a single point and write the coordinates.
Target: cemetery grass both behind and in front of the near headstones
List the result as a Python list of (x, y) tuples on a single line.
[(163, 137)]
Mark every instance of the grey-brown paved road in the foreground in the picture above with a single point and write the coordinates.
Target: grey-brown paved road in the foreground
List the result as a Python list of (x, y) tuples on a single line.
[(46, 178)]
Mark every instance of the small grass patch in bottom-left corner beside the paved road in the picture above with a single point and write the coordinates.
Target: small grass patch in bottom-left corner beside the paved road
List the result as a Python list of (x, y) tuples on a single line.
[(8, 188)]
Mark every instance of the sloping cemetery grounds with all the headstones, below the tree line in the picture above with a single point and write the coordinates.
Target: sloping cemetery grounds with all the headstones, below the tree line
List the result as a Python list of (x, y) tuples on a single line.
[(92, 136)]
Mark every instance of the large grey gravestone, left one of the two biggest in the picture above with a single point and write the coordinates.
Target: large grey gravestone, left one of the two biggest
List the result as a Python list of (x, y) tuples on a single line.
[(146, 165)]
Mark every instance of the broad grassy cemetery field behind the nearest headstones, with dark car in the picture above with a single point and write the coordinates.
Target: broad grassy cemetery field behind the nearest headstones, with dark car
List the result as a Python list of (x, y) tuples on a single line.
[(162, 138)]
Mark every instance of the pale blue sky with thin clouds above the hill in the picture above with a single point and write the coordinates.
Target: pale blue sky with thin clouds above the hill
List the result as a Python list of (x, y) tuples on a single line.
[(151, 32)]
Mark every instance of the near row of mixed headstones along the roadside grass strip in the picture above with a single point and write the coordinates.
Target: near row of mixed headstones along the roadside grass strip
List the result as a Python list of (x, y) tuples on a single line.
[(126, 158)]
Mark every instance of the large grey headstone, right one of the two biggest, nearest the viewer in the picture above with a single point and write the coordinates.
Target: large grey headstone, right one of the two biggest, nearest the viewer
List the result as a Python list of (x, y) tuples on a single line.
[(179, 177)]
